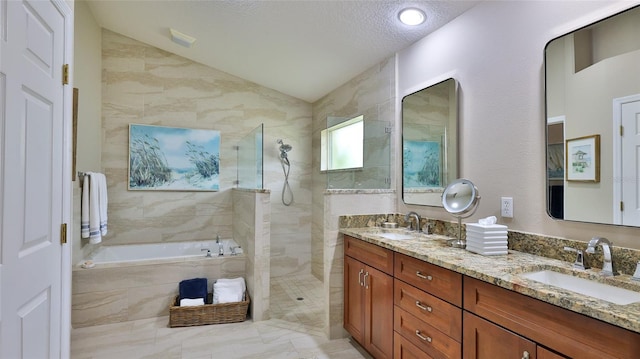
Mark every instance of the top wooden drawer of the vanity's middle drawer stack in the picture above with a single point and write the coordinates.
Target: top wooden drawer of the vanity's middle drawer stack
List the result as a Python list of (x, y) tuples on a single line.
[(438, 281)]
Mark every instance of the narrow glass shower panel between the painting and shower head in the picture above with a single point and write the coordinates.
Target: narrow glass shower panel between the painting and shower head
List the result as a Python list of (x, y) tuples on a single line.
[(250, 159)]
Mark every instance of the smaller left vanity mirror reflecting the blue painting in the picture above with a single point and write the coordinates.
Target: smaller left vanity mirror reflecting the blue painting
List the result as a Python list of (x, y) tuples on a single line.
[(429, 143)]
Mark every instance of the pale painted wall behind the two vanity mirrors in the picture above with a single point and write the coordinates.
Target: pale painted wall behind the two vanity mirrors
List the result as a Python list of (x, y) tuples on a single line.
[(495, 51)]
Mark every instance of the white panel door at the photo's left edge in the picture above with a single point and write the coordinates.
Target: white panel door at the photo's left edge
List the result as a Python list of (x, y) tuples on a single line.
[(31, 178)]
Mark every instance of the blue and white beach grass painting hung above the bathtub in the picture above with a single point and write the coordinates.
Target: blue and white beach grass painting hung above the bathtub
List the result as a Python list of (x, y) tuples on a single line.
[(173, 159)]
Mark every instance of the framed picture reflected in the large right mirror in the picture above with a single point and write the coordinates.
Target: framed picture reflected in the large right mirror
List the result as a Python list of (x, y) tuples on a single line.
[(583, 159)]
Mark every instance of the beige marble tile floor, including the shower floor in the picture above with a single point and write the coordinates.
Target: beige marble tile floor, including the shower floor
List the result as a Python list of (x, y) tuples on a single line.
[(294, 331)]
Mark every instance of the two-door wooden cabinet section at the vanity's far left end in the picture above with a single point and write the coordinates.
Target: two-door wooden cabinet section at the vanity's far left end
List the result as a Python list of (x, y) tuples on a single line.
[(368, 297)]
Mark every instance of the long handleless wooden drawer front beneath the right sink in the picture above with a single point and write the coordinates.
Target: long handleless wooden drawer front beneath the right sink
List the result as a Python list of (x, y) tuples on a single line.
[(564, 331)]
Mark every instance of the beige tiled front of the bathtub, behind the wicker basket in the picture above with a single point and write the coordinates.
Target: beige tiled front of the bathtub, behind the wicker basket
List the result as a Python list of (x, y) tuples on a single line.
[(111, 294)]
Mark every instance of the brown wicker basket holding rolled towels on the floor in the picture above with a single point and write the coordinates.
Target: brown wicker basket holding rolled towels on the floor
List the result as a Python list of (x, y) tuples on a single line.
[(208, 313)]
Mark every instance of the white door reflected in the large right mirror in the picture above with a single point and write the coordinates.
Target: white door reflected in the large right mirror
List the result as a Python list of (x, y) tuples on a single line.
[(630, 181)]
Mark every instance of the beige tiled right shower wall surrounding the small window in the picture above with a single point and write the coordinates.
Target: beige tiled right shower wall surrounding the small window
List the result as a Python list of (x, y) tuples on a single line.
[(371, 93)]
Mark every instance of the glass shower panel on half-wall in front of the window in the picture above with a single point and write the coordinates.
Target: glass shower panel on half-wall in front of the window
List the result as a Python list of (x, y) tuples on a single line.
[(375, 172)]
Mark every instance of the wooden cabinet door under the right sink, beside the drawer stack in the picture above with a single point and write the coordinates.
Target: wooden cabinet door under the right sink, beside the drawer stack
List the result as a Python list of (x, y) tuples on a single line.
[(485, 340)]
